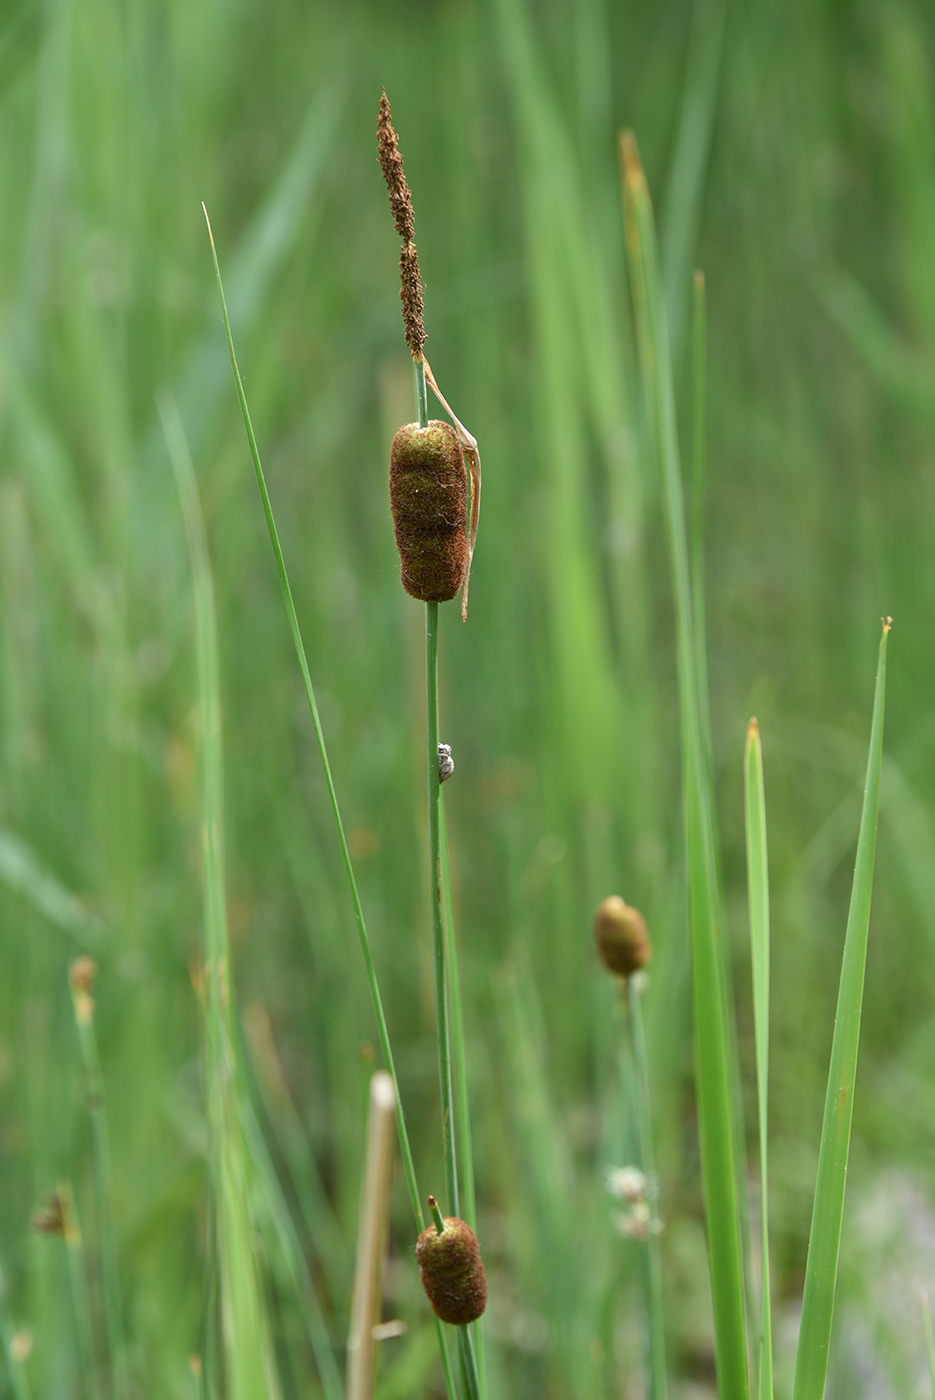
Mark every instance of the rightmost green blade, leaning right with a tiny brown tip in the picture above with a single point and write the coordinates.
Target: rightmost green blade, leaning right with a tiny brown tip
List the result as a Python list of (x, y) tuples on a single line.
[(825, 1240)]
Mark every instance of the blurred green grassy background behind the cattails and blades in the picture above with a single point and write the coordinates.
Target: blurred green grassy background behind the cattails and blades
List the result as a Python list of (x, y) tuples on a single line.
[(792, 155)]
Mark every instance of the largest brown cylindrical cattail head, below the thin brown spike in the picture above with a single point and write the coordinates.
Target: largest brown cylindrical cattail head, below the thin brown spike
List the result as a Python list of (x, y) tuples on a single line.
[(429, 500)]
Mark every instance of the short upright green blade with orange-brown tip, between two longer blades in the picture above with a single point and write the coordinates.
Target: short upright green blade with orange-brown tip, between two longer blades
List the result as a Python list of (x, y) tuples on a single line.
[(759, 902)]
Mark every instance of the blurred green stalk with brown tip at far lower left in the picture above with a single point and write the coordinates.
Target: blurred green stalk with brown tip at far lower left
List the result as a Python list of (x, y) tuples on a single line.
[(103, 1181)]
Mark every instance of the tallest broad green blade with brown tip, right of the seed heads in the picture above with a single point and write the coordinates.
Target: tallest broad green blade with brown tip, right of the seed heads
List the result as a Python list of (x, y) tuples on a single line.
[(715, 1086)]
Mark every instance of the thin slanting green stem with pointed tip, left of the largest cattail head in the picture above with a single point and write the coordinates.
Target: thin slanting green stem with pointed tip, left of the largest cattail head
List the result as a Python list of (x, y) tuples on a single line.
[(313, 705)]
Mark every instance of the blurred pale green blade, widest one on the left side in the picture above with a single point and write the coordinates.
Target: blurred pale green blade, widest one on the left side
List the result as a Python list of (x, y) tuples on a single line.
[(248, 1356)]
